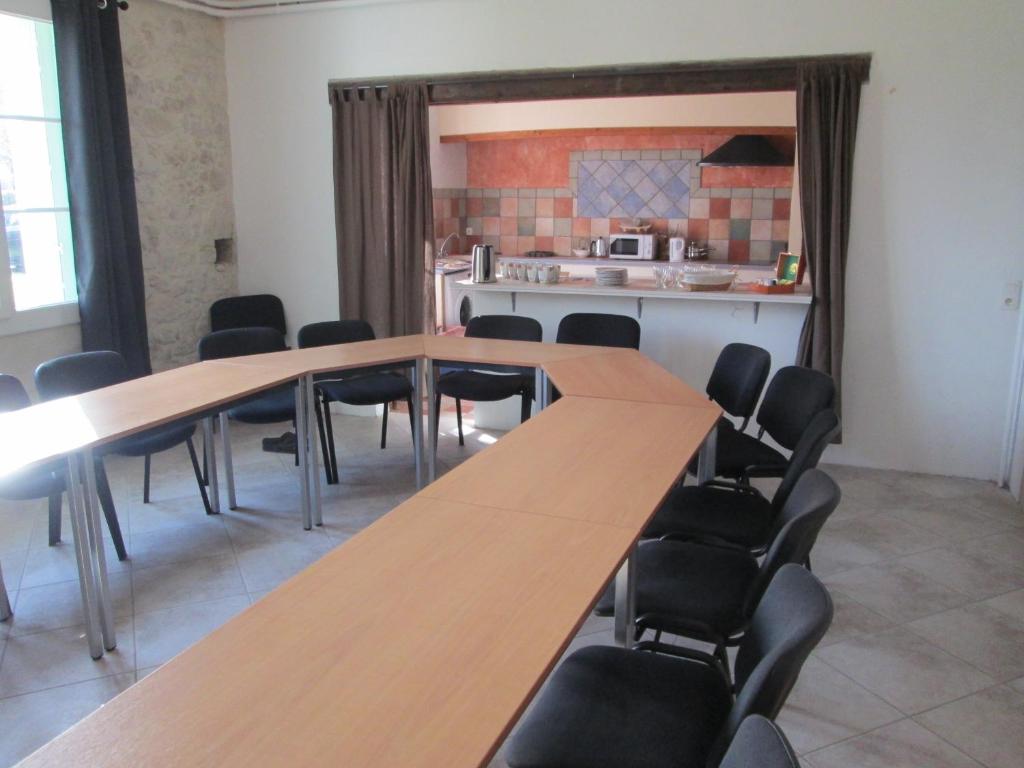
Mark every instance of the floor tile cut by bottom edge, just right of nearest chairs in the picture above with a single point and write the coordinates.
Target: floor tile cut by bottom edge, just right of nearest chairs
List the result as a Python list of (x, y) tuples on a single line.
[(902, 745)]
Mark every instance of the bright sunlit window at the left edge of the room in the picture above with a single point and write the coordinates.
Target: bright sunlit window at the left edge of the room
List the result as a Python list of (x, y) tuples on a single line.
[(35, 229)]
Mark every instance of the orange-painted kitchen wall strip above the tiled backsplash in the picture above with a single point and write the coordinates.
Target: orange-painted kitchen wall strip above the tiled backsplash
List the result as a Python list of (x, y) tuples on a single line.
[(544, 162)]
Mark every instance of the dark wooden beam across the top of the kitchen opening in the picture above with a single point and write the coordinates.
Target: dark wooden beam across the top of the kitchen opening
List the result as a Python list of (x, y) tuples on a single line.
[(738, 76)]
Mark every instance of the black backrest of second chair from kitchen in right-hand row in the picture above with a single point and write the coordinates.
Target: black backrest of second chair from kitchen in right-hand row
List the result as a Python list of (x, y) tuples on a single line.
[(795, 397)]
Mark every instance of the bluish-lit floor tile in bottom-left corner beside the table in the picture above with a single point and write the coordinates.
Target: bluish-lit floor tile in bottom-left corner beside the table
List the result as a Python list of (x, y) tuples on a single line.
[(33, 719)]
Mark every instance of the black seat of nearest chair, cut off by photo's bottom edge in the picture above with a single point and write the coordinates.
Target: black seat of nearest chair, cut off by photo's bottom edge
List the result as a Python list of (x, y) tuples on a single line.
[(612, 707)]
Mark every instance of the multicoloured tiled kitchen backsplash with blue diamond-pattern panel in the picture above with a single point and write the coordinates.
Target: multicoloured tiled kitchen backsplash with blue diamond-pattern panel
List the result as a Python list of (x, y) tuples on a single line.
[(740, 225)]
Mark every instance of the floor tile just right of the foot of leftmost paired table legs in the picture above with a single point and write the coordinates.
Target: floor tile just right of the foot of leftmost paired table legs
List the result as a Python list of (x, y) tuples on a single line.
[(198, 581)]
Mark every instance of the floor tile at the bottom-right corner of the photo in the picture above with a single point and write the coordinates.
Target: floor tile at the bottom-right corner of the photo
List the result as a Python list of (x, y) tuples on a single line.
[(989, 727)]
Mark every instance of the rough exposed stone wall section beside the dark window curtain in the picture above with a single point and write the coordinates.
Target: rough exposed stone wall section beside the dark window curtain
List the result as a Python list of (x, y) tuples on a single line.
[(178, 106)]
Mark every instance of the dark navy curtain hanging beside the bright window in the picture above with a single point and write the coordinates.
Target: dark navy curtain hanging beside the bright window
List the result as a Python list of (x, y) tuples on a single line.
[(101, 181)]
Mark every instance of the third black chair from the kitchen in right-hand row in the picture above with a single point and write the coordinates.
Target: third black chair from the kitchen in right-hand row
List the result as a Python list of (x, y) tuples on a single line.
[(736, 514)]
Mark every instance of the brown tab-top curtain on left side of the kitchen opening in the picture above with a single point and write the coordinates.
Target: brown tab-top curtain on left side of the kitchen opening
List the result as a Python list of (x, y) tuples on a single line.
[(383, 207)]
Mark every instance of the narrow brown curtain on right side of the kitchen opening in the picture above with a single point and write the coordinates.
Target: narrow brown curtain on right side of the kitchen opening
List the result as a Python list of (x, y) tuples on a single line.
[(828, 102)]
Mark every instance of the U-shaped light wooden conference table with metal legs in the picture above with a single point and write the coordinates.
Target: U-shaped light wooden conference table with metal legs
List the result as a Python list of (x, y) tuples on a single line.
[(421, 639)]
